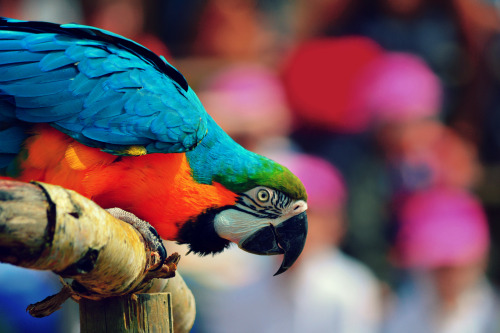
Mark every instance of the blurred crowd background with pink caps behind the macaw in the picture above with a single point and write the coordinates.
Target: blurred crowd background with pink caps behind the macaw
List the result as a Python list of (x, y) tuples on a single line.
[(389, 112)]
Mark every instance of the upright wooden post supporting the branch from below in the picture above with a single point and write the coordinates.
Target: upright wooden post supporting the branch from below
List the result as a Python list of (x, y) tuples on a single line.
[(126, 314)]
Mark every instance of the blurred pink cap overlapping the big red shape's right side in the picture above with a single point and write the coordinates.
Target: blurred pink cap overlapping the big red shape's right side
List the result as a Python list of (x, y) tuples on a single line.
[(398, 87)]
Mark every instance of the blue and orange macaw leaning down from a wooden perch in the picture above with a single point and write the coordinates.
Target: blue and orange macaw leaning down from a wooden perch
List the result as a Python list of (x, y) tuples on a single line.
[(97, 113)]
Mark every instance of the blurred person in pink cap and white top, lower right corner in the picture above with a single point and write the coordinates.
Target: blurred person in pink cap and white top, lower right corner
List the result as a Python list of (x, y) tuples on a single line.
[(443, 244)]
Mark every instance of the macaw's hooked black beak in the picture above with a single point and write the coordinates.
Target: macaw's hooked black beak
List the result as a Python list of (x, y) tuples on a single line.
[(288, 238)]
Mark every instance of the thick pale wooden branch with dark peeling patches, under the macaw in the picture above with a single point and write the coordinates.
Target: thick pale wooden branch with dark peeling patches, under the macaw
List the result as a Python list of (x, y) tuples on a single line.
[(47, 227)]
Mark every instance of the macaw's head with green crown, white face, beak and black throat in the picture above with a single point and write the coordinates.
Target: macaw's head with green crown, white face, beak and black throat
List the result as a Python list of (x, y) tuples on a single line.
[(268, 216)]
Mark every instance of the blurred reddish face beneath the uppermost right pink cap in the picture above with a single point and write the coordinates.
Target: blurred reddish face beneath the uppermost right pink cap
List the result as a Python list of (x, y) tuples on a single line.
[(426, 153)]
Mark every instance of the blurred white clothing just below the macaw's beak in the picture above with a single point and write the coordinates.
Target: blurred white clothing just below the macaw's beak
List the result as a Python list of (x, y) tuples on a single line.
[(327, 292)]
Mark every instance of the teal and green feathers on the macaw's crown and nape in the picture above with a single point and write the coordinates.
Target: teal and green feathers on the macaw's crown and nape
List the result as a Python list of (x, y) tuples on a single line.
[(218, 158)]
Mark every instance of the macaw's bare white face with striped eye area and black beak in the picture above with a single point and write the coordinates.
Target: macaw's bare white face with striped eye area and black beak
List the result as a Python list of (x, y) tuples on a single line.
[(265, 221)]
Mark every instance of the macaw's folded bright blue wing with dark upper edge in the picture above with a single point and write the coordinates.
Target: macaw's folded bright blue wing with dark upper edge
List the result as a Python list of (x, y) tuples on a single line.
[(102, 89)]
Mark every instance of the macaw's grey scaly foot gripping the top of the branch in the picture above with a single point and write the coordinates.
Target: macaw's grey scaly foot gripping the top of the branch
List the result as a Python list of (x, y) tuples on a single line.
[(150, 235)]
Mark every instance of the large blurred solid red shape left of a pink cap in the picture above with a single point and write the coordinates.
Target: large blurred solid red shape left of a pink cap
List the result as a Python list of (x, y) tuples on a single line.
[(319, 79)]
